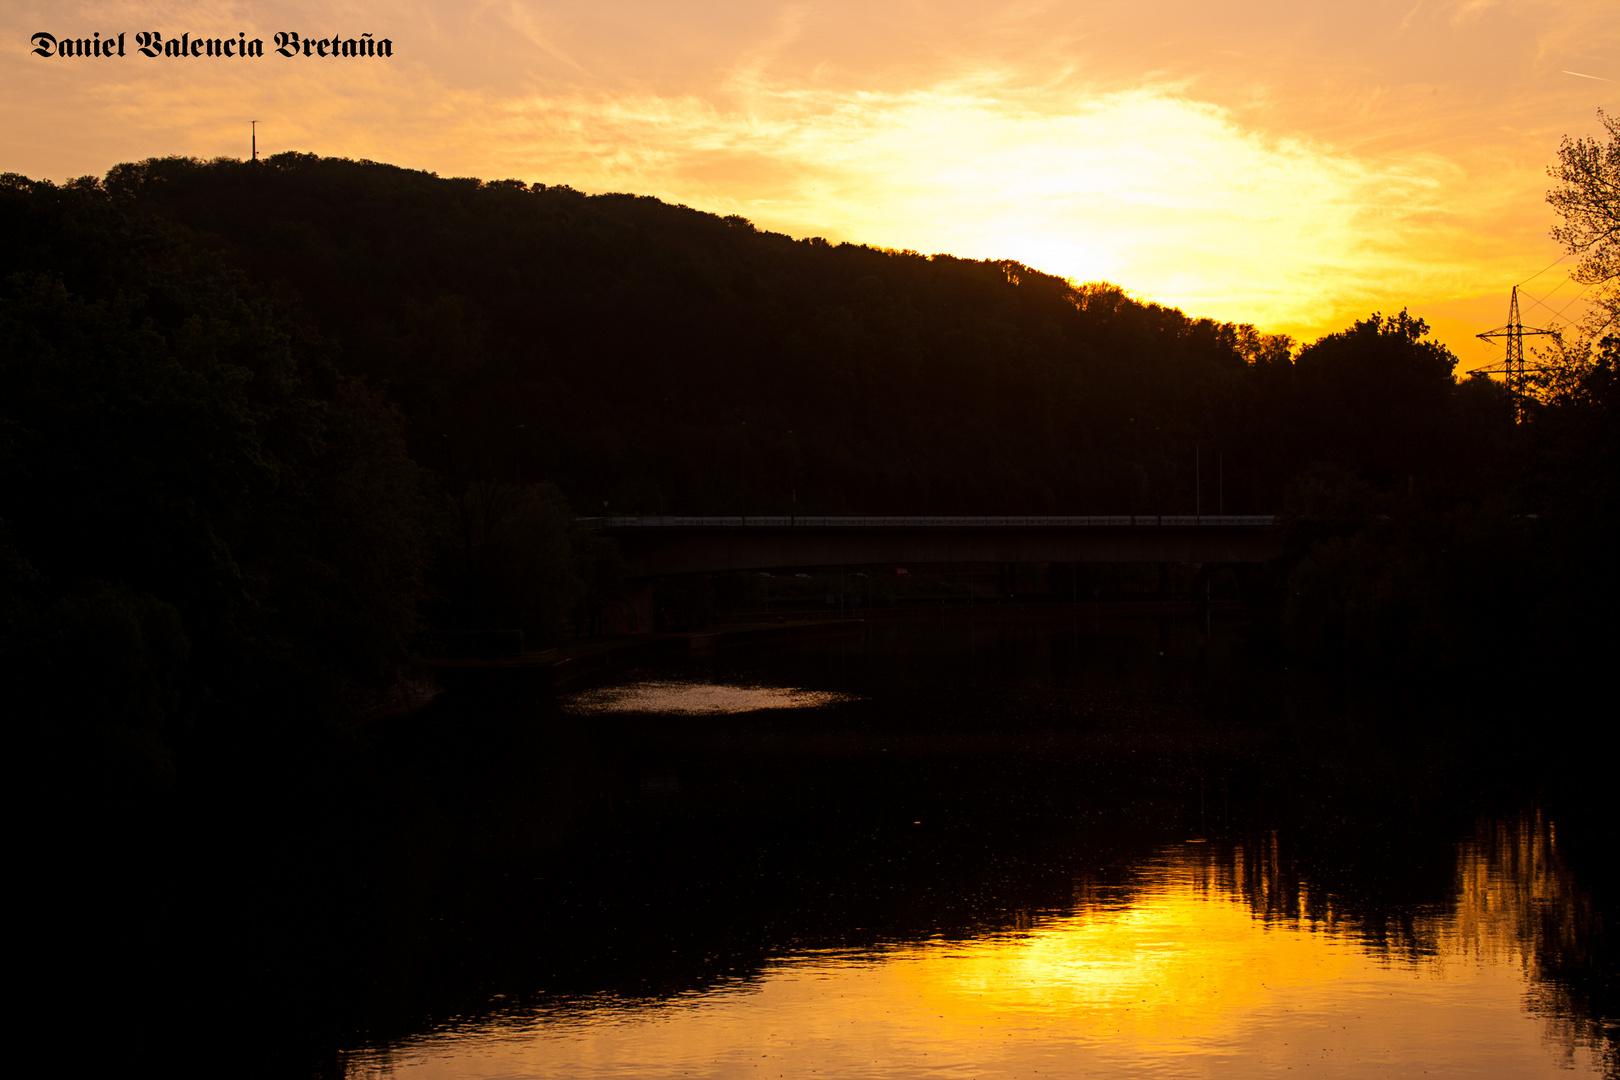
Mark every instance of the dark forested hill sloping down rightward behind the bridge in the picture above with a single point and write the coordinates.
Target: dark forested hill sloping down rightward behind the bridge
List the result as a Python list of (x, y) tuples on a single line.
[(654, 357)]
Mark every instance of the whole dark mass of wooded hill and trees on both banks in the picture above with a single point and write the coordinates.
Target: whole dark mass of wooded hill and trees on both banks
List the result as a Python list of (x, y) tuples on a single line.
[(262, 417)]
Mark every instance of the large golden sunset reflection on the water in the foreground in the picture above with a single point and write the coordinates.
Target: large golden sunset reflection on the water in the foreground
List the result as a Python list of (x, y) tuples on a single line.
[(1192, 969)]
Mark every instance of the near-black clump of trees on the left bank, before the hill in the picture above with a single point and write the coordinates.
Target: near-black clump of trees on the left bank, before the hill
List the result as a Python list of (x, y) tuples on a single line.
[(202, 512)]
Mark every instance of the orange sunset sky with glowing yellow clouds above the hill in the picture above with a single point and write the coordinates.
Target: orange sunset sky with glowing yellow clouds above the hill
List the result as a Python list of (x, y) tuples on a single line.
[(1295, 166)]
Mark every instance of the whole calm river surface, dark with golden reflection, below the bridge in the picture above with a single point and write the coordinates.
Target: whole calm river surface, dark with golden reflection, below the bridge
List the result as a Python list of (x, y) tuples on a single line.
[(971, 849)]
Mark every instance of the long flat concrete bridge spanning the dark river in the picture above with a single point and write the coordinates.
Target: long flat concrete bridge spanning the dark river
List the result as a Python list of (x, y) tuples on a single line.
[(662, 546)]
